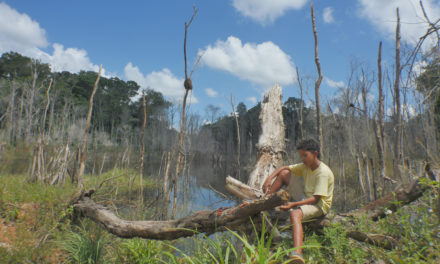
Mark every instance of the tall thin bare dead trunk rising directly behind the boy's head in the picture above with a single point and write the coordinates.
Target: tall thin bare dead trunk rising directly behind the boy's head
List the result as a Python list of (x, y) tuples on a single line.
[(317, 84)]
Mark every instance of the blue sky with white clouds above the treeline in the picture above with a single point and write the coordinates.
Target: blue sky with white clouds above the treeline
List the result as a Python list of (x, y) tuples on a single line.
[(246, 45)]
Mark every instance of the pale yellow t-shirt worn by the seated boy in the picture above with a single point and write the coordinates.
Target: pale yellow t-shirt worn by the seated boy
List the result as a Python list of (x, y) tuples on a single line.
[(317, 182)]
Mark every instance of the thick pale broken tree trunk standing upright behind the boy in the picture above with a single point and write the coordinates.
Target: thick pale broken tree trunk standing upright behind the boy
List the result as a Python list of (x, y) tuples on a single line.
[(271, 146)]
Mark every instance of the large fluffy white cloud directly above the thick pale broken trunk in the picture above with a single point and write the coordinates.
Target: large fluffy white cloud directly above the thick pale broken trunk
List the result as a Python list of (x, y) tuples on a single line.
[(262, 64)]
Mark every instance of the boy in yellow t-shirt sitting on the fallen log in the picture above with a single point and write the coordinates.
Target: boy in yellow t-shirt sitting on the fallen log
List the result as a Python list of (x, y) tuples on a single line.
[(318, 190)]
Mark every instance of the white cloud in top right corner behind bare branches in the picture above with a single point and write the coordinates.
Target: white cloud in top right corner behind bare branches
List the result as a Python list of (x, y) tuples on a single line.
[(382, 14)]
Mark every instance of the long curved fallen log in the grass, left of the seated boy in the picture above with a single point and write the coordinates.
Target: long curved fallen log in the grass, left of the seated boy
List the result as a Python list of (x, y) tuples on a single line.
[(201, 222)]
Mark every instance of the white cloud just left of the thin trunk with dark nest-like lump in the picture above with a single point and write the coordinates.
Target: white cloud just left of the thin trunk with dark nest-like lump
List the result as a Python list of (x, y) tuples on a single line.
[(163, 81)]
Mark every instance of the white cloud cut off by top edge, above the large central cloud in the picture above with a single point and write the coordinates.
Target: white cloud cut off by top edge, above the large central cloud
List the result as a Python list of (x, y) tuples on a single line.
[(265, 11)]
